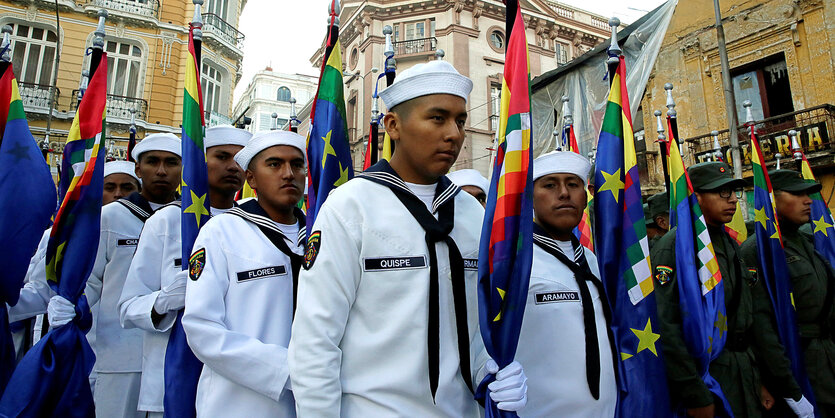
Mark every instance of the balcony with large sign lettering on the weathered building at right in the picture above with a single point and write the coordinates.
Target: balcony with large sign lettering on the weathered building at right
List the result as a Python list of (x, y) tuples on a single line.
[(815, 127)]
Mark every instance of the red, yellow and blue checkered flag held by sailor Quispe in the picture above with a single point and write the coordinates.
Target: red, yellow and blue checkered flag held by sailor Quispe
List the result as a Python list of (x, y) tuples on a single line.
[(506, 248)]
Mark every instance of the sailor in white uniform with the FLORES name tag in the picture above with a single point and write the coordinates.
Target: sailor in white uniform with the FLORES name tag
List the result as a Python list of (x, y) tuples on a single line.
[(241, 289)]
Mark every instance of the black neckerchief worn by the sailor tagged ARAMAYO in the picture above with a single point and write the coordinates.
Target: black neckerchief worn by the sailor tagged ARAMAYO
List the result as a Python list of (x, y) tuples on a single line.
[(578, 265)]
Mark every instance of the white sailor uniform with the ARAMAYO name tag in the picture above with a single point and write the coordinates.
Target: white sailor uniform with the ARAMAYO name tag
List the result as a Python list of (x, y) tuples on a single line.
[(551, 342)]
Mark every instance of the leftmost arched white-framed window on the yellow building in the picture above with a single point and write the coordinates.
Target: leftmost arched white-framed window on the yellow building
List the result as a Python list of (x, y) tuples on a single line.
[(33, 53)]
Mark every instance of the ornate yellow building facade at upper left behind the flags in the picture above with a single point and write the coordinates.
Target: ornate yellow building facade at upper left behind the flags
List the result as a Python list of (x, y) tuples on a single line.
[(147, 47)]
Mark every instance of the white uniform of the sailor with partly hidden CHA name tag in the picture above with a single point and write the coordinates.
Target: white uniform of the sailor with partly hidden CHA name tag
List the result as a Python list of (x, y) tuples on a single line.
[(119, 351)]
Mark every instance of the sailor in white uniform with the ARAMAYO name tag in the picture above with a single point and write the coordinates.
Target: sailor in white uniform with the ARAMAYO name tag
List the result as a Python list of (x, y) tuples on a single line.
[(565, 344)]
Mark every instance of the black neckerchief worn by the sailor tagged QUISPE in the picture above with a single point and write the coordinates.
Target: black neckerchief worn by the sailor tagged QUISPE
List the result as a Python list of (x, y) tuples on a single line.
[(437, 230)]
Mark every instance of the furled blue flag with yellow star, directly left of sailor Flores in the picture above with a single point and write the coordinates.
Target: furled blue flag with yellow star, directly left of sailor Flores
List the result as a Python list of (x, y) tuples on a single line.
[(182, 369)]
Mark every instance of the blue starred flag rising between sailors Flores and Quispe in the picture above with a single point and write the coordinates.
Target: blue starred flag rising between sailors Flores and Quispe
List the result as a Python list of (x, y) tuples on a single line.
[(328, 152)]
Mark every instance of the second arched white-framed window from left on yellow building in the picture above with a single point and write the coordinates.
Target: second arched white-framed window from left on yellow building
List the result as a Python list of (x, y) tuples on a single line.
[(124, 63)]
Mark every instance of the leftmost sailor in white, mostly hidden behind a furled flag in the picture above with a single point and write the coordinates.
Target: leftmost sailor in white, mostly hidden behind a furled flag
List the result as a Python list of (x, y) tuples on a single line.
[(120, 180)]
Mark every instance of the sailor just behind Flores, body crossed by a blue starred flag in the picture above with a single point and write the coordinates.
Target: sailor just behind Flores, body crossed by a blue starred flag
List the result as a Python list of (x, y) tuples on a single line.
[(155, 287)]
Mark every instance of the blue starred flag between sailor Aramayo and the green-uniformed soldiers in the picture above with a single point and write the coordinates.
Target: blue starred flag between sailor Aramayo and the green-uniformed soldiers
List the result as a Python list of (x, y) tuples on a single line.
[(623, 257)]
